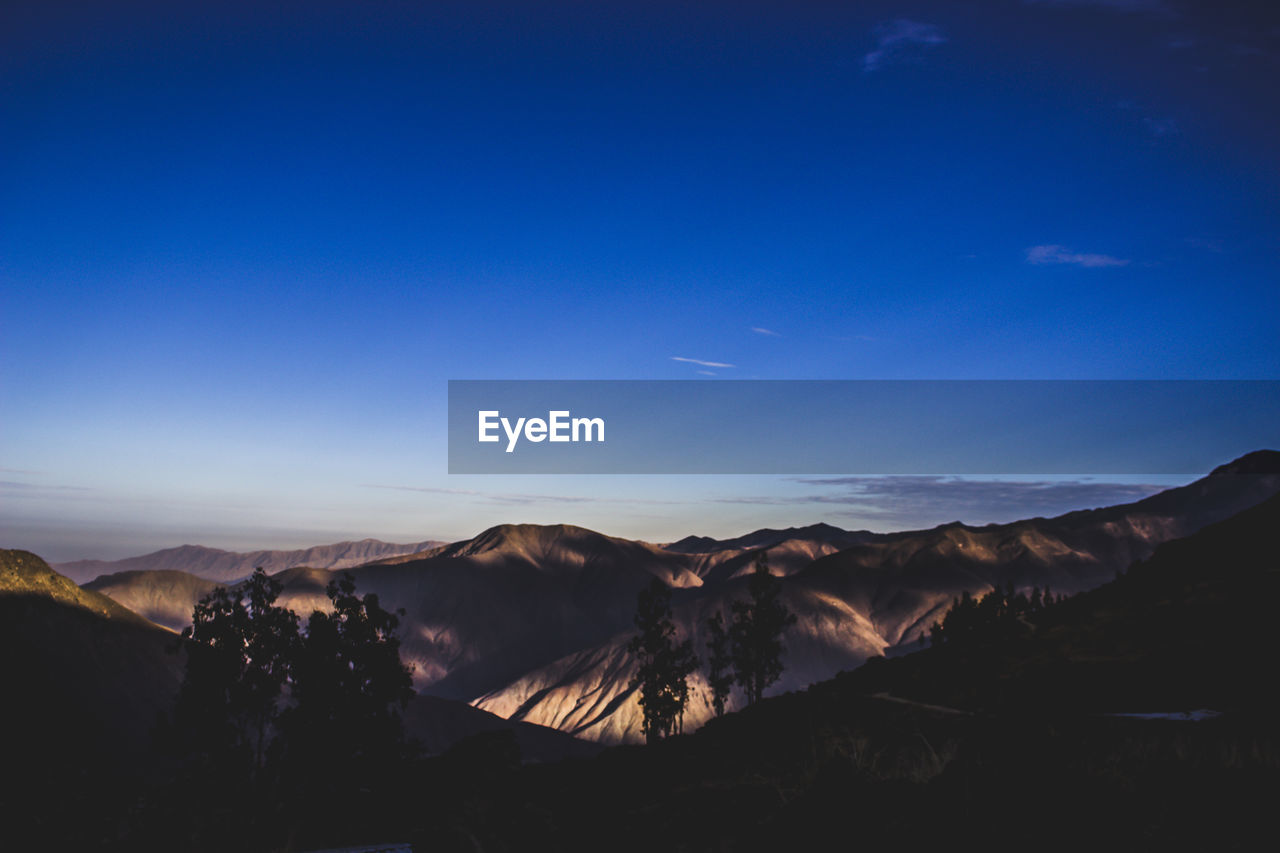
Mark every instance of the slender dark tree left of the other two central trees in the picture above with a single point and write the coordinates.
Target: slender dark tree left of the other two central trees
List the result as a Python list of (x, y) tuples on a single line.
[(664, 669)]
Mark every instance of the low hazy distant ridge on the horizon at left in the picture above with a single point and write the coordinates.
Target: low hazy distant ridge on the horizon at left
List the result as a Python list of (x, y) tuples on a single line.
[(230, 567)]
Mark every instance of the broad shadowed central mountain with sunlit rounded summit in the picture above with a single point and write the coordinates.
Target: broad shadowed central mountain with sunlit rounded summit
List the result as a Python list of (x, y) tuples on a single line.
[(482, 613)]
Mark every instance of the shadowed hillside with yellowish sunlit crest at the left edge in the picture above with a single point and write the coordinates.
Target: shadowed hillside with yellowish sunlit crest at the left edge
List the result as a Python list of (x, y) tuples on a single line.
[(85, 682)]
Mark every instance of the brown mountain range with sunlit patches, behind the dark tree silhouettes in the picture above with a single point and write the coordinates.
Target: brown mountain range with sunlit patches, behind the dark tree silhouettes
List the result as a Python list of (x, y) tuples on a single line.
[(532, 622)]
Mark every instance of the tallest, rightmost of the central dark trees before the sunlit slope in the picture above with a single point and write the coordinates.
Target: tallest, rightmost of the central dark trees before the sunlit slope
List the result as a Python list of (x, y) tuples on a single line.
[(756, 633)]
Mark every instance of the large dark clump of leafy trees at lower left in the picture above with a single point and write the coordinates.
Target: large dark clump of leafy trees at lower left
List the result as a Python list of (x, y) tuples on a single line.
[(331, 752)]
